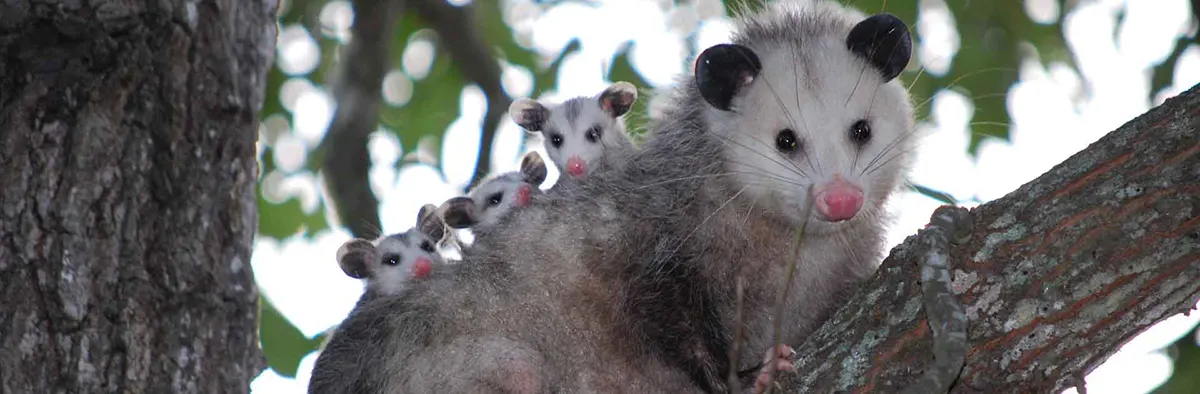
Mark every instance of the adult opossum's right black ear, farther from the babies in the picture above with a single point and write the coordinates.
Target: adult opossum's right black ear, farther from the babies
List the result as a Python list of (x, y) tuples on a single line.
[(884, 41)]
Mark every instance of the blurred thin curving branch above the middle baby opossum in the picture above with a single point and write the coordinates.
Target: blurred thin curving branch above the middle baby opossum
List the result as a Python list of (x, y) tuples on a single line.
[(458, 31)]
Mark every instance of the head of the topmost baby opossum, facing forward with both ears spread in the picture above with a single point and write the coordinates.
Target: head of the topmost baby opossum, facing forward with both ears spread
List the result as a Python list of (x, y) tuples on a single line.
[(579, 132)]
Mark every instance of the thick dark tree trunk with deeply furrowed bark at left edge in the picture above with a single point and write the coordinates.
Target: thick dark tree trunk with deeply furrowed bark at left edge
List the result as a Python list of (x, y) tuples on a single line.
[(128, 210)]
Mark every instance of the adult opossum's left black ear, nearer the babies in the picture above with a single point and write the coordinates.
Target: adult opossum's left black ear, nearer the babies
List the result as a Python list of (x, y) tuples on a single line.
[(723, 71)]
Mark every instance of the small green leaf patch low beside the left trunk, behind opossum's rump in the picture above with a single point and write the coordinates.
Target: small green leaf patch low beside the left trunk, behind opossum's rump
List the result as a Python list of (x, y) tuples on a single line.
[(283, 344)]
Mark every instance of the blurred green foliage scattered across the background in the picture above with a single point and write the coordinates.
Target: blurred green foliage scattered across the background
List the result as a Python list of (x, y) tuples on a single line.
[(993, 38)]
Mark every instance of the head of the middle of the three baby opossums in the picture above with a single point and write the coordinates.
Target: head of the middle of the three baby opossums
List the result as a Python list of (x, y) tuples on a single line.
[(489, 204)]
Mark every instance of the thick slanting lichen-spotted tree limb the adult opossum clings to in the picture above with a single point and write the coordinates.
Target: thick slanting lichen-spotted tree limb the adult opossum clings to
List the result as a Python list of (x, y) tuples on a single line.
[(1054, 277)]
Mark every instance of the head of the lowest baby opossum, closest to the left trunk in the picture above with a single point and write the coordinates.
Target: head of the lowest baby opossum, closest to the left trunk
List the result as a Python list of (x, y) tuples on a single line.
[(392, 261)]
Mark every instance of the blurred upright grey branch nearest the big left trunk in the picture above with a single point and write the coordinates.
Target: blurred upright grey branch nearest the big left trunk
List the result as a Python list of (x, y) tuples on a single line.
[(347, 163)]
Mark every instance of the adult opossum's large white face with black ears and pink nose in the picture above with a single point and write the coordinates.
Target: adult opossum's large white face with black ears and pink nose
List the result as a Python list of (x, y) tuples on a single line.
[(811, 100)]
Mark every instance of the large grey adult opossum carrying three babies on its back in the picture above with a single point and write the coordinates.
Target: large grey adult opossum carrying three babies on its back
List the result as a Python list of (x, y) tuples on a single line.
[(627, 283)]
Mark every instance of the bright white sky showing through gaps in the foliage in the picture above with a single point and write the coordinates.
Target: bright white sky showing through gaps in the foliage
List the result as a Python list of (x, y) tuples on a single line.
[(1057, 112)]
